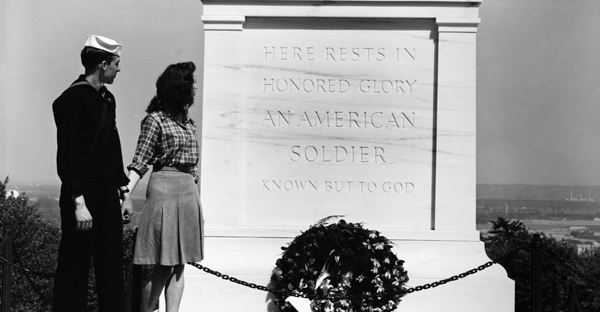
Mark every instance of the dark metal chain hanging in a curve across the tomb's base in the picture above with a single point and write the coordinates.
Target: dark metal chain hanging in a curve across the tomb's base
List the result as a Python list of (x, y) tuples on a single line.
[(296, 293)]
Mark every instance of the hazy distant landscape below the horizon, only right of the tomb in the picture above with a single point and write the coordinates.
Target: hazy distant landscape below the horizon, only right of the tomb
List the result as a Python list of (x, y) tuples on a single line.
[(564, 212)]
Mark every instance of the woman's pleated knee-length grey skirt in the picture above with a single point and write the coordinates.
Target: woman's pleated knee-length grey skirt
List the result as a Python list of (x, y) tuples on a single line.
[(171, 229)]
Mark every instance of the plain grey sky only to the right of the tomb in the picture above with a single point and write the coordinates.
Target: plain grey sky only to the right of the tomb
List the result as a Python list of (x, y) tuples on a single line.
[(538, 90)]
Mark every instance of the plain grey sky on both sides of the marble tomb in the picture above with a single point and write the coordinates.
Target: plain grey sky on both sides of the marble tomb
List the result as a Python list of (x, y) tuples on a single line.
[(538, 80)]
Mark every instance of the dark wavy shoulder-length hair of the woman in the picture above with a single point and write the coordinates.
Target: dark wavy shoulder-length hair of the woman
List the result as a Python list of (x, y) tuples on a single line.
[(174, 90)]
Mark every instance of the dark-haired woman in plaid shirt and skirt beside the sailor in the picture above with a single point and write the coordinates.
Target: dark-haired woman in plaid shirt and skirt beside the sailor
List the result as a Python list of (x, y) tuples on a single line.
[(170, 231)]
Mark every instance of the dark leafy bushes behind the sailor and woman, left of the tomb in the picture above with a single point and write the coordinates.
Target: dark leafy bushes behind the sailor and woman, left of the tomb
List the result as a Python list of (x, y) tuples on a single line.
[(35, 243)]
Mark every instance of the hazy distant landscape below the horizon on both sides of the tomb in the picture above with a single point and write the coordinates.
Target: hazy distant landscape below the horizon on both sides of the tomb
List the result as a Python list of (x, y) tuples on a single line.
[(563, 211)]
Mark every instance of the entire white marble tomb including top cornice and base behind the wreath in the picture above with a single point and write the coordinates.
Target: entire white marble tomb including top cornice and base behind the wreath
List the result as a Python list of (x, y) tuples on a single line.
[(376, 96)]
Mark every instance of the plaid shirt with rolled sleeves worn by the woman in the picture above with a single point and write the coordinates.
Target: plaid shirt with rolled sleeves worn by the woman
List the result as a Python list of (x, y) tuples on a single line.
[(164, 141)]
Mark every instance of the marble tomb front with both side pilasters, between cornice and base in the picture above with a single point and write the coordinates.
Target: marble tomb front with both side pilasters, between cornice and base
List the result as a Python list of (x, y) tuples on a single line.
[(316, 117)]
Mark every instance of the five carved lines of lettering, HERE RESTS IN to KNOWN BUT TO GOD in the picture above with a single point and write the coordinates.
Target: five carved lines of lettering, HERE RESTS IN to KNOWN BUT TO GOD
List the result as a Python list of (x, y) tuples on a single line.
[(393, 86)]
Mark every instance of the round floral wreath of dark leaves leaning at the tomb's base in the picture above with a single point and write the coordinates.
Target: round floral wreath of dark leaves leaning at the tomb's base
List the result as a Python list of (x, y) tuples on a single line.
[(341, 267)]
